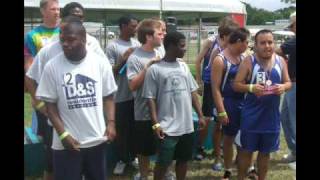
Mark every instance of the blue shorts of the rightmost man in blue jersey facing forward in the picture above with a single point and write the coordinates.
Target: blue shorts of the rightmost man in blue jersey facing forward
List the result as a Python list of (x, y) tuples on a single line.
[(262, 142)]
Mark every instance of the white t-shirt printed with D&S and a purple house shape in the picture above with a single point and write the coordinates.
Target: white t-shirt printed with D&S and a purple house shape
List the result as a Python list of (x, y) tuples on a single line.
[(78, 90)]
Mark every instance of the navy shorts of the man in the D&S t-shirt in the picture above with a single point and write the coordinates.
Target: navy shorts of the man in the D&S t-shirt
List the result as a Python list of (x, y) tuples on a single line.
[(71, 165)]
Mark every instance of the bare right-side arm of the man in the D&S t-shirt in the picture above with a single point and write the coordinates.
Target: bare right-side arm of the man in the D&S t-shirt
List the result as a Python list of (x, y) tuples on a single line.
[(109, 109)]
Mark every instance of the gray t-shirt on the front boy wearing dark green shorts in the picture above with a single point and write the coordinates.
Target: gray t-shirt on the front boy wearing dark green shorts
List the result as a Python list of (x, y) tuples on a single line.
[(171, 84)]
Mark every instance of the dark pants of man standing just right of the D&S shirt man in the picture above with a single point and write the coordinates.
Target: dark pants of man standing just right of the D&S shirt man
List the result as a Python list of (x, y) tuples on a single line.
[(124, 126)]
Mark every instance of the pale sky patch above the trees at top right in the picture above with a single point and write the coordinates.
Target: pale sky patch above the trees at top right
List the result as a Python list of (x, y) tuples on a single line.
[(270, 5)]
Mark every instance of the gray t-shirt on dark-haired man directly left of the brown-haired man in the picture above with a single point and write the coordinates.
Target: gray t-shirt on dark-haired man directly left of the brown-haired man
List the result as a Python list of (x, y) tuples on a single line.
[(114, 51)]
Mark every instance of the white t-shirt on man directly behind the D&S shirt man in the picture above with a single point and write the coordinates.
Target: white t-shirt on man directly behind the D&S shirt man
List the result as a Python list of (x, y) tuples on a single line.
[(53, 49)]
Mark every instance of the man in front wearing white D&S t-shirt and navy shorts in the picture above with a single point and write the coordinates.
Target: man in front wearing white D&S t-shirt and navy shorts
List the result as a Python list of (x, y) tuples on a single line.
[(78, 88)]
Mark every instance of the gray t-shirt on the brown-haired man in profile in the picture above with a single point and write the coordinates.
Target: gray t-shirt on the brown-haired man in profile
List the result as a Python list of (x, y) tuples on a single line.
[(136, 62)]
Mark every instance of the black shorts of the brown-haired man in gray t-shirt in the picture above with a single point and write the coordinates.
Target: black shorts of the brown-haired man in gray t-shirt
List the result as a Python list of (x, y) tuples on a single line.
[(144, 138)]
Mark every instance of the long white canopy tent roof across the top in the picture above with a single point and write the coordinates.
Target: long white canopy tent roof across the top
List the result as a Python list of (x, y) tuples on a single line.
[(205, 6)]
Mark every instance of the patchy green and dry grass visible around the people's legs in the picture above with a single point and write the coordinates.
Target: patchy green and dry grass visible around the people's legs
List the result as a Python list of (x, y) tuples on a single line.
[(199, 170)]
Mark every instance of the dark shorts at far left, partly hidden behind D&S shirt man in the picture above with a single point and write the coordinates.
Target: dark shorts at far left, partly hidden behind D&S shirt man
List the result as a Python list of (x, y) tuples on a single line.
[(46, 131)]
